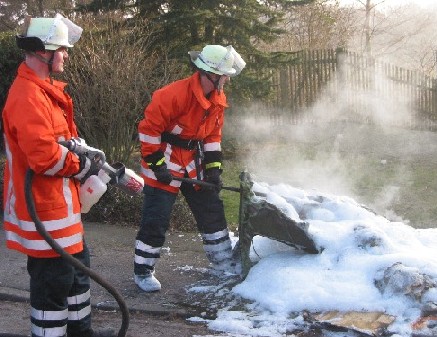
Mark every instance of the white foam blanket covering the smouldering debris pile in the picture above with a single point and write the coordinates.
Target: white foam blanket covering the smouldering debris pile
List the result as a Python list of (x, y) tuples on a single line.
[(359, 249)]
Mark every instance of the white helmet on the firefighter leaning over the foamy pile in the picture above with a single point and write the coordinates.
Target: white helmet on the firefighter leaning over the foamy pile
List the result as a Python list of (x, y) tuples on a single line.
[(218, 60)]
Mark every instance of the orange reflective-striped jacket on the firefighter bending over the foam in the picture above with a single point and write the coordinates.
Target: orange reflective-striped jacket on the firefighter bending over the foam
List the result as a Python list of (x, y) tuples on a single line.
[(182, 109)]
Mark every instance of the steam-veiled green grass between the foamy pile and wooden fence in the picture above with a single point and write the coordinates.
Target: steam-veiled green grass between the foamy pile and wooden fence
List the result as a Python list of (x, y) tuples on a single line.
[(401, 189)]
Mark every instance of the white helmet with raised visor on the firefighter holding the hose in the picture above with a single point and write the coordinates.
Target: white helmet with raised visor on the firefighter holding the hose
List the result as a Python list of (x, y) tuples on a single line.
[(52, 32)]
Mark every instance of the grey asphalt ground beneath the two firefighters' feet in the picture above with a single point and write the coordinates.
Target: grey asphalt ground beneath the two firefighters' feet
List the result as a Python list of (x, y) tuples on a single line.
[(164, 313)]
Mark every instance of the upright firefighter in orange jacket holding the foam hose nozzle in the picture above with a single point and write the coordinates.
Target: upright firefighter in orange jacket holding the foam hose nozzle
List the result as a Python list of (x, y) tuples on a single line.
[(37, 115)]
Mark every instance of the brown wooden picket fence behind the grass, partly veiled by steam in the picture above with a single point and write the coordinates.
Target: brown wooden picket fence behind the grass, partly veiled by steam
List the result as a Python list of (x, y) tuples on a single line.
[(353, 87)]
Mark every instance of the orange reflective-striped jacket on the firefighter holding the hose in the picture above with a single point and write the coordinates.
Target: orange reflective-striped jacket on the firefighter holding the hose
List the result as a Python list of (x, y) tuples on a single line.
[(37, 115)]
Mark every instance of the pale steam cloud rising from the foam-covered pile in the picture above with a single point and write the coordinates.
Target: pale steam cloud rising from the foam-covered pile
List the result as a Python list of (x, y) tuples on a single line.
[(352, 142)]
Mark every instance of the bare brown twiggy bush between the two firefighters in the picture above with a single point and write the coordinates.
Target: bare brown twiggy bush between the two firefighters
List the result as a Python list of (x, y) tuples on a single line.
[(112, 75)]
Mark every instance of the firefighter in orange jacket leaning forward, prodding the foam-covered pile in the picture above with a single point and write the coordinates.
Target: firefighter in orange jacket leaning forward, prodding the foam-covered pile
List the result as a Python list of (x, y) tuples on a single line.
[(180, 136)]
